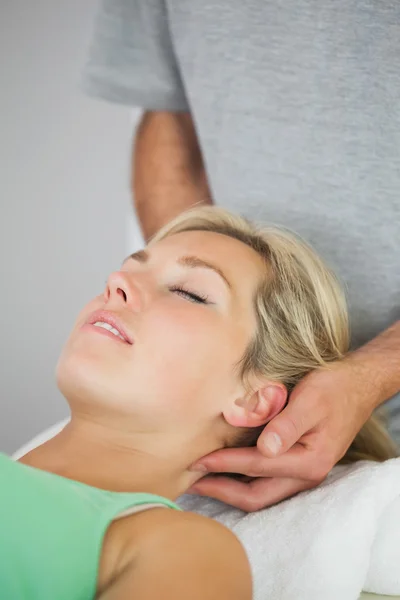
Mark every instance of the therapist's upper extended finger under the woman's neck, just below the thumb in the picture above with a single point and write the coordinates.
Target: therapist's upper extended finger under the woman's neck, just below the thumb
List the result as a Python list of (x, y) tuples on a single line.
[(298, 462)]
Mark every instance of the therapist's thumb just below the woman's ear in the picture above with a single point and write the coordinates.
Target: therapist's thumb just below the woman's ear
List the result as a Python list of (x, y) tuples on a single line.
[(286, 429)]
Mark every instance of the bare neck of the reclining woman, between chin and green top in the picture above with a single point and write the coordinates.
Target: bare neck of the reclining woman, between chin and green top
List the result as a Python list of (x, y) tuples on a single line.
[(108, 459)]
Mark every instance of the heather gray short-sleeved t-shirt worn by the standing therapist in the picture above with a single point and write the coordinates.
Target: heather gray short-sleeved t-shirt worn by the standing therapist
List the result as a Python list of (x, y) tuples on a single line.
[(297, 111)]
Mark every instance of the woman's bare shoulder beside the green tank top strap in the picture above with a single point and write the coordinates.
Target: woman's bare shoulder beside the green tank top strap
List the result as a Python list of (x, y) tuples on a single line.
[(183, 555)]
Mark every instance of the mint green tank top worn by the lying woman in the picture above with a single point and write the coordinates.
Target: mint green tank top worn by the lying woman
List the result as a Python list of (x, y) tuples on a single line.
[(51, 532)]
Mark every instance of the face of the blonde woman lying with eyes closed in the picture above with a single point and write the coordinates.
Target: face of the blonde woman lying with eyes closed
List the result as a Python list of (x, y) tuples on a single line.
[(184, 325)]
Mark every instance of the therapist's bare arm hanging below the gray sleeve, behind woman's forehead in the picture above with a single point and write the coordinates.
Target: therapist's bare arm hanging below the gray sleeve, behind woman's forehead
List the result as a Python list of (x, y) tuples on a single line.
[(168, 174)]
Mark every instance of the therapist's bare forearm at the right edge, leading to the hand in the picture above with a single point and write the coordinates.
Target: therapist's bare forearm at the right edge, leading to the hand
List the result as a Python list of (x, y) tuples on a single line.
[(380, 360)]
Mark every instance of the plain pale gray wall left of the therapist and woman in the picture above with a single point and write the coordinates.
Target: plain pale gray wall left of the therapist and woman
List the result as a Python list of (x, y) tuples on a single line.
[(65, 204)]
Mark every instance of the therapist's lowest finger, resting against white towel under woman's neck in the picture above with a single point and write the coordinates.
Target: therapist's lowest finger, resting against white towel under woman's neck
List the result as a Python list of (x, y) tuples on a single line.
[(258, 494)]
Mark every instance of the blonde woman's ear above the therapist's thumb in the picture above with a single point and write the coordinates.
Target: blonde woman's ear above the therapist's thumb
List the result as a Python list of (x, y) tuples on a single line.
[(258, 408)]
